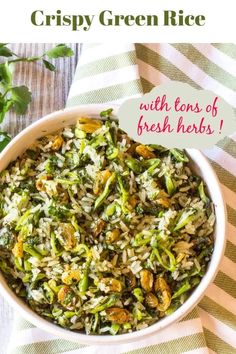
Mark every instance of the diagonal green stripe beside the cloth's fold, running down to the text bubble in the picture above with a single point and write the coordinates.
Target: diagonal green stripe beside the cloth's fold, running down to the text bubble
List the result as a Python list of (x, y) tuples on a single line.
[(162, 64)]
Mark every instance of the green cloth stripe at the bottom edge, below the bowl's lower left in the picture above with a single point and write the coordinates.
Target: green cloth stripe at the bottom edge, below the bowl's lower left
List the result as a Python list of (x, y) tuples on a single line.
[(54, 346)]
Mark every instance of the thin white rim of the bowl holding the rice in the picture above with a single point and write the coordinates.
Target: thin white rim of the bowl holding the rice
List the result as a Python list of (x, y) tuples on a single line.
[(177, 315)]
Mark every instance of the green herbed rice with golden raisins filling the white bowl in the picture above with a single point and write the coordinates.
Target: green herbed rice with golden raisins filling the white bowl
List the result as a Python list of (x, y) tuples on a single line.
[(101, 234)]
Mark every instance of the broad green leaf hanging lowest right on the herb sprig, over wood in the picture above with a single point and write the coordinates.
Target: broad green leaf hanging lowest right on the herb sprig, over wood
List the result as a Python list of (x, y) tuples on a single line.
[(21, 97)]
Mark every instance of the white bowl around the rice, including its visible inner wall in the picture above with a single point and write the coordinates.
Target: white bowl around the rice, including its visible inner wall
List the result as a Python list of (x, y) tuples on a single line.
[(63, 118)]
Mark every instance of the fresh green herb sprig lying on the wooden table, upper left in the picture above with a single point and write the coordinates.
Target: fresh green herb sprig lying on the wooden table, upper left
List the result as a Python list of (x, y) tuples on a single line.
[(17, 98)]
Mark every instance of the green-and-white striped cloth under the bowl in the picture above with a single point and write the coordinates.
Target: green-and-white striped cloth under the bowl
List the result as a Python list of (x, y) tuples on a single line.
[(109, 74)]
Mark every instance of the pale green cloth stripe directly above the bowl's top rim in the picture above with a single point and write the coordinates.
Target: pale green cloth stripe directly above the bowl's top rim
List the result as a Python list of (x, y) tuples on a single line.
[(106, 94)]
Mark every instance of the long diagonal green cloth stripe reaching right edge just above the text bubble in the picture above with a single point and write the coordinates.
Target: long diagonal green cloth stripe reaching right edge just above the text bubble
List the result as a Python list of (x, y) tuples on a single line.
[(210, 68)]
